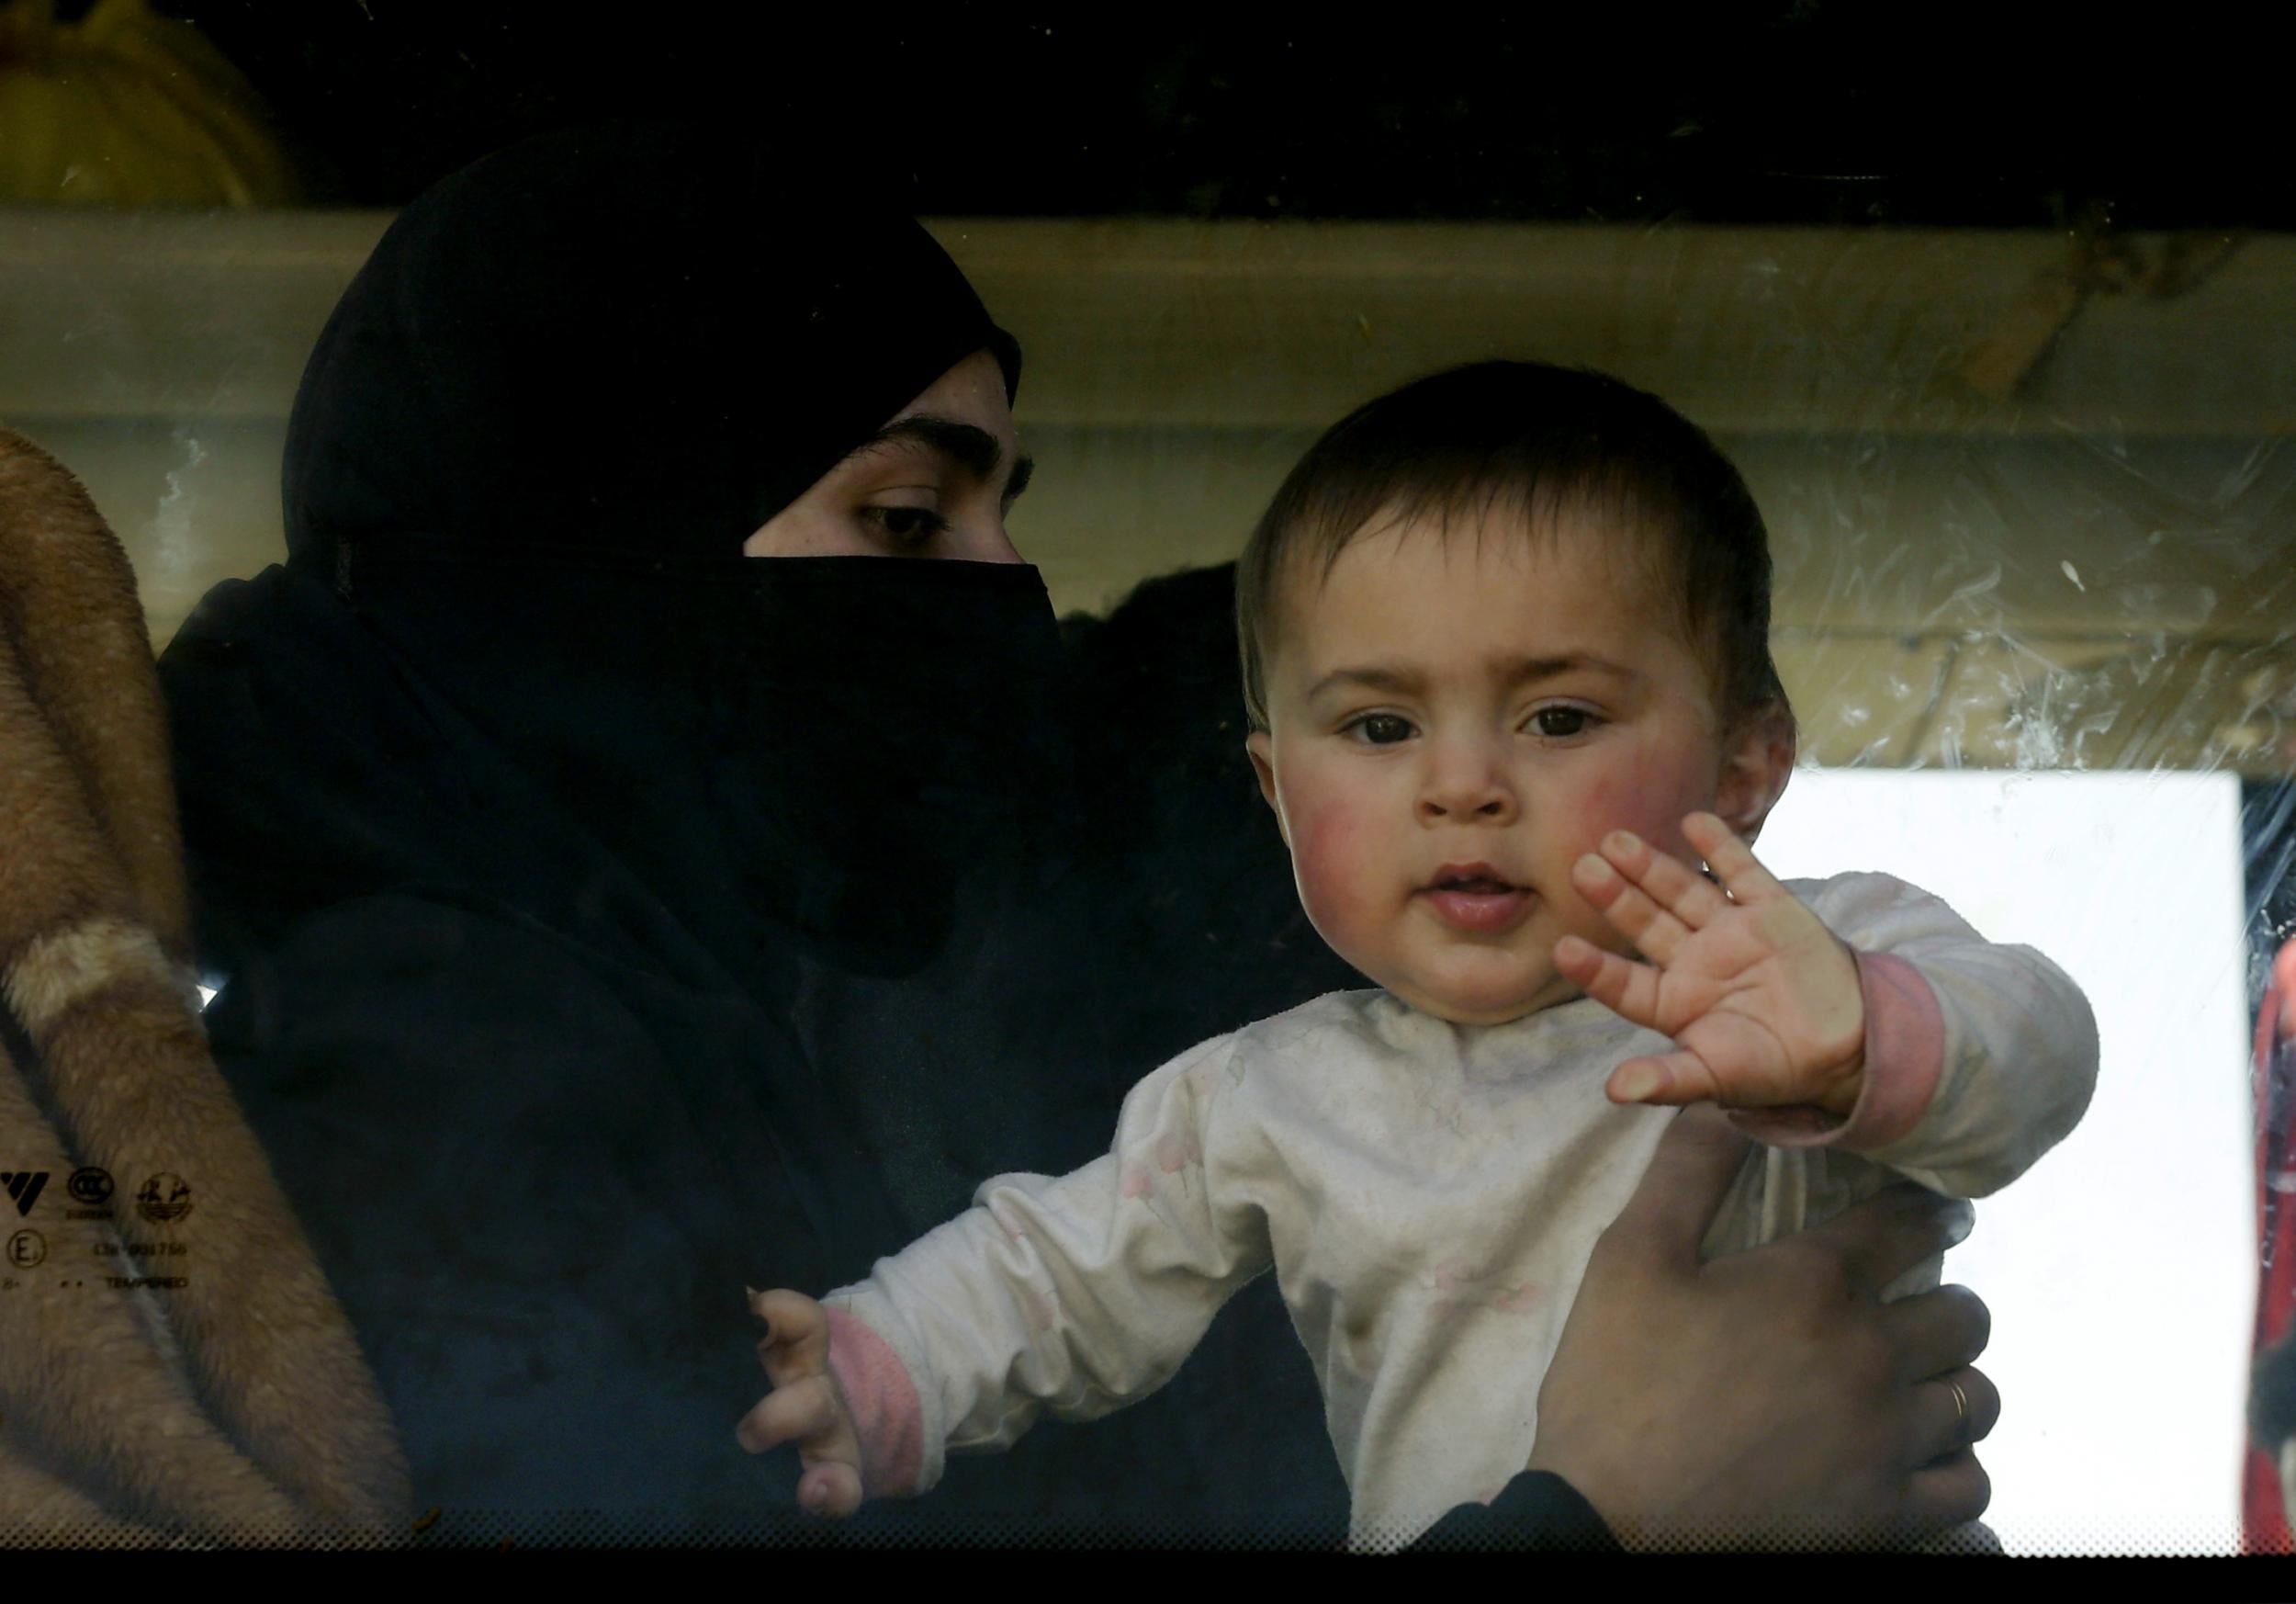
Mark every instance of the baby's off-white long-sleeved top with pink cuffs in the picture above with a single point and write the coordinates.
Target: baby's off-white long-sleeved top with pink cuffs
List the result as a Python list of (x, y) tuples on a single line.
[(1429, 1198)]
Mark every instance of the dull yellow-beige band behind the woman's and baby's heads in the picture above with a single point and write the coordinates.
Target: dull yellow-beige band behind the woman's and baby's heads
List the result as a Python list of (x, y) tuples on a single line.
[(2026, 511)]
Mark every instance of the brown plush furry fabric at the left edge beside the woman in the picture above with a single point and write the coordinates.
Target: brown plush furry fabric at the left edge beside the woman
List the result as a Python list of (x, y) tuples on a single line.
[(173, 1364)]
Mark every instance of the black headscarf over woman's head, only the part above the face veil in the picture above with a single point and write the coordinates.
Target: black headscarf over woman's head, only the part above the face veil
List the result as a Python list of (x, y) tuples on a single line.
[(639, 341)]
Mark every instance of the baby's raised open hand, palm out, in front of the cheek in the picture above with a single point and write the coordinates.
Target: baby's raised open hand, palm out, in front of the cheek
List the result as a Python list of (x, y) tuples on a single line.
[(1760, 996)]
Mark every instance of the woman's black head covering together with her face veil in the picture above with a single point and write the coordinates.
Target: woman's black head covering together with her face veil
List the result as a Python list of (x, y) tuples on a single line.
[(527, 452)]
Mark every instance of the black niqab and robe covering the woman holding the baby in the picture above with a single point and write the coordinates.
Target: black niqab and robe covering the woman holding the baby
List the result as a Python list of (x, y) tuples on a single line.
[(607, 918)]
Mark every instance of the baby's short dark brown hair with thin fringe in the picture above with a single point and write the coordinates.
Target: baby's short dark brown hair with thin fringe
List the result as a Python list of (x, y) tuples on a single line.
[(1537, 442)]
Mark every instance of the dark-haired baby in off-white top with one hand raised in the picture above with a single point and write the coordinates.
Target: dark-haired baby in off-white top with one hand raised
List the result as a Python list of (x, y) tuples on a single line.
[(1505, 645)]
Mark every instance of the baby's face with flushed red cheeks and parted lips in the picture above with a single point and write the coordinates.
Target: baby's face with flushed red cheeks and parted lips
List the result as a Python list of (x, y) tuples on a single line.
[(1455, 720)]
